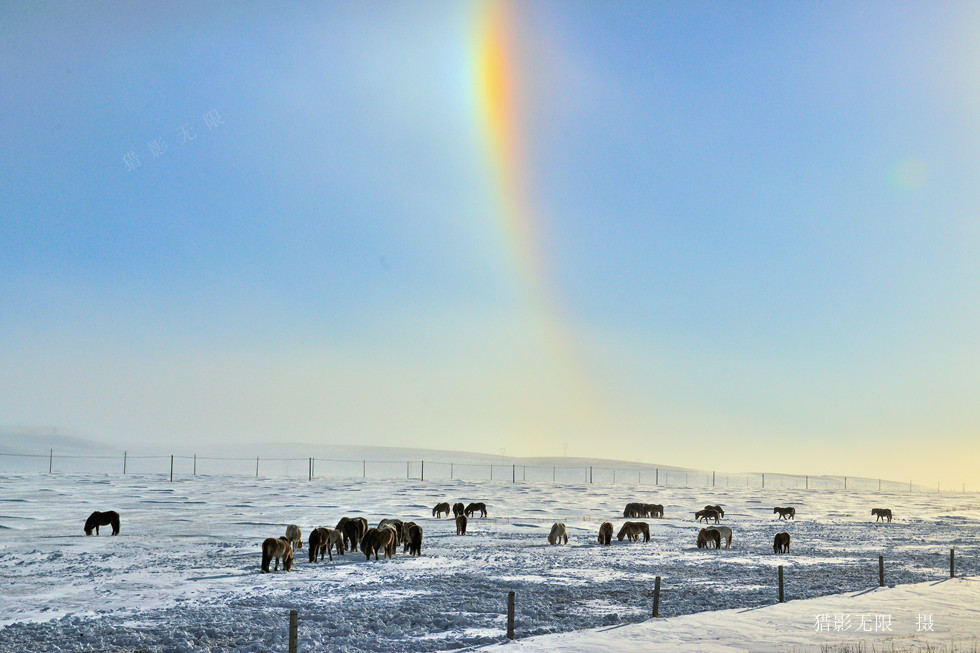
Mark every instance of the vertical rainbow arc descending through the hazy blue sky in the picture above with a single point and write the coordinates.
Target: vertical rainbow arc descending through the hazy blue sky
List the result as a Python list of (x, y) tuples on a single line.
[(499, 109)]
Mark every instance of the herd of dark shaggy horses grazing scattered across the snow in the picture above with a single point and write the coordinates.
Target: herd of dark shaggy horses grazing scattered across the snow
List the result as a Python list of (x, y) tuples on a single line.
[(353, 533)]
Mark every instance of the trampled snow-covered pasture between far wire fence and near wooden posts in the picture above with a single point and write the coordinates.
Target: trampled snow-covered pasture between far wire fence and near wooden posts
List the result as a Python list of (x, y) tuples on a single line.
[(184, 573)]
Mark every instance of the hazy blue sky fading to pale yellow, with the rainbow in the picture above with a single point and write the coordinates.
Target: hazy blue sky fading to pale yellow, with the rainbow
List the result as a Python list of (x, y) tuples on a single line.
[(723, 235)]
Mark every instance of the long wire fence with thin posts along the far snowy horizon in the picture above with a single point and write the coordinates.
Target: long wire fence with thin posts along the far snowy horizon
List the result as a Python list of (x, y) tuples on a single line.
[(176, 466)]
